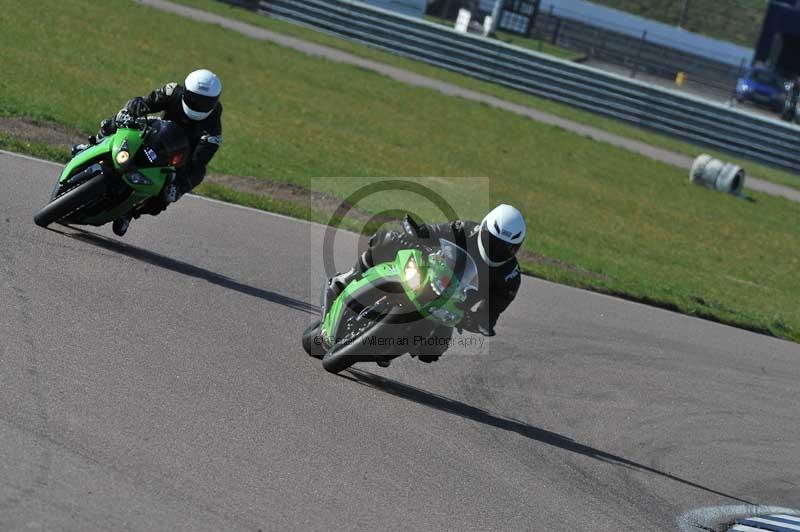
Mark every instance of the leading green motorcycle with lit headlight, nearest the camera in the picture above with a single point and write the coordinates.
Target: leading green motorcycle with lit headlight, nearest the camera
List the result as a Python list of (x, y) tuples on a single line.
[(373, 318)]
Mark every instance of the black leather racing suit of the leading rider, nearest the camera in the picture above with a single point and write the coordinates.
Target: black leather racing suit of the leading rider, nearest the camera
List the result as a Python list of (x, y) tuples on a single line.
[(497, 286)]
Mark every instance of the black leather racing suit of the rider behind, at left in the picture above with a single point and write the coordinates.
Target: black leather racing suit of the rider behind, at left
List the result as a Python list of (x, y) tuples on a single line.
[(205, 136)]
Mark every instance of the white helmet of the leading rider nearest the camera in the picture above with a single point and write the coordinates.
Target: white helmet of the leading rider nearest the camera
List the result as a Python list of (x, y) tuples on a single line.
[(501, 234)]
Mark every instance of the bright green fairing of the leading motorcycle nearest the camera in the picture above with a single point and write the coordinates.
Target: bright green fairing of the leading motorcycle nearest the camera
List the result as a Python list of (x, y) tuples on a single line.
[(396, 270)]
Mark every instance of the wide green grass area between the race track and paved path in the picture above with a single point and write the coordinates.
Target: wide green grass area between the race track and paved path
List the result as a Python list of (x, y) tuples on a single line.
[(637, 224)]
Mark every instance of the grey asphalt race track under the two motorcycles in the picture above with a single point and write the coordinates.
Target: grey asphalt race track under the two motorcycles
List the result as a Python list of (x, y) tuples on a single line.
[(156, 382)]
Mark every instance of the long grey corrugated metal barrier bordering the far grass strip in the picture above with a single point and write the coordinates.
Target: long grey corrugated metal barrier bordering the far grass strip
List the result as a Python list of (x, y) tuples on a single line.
[(684, 116)]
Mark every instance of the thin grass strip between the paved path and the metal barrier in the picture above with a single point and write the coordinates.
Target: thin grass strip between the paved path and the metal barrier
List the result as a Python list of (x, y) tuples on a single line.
[(617, 127)]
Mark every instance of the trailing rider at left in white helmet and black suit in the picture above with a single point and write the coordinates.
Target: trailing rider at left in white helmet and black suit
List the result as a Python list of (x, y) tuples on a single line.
[(195, 106)]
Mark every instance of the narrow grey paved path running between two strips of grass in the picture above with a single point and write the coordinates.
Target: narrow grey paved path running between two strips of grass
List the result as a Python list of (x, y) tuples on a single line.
[(405, 76)]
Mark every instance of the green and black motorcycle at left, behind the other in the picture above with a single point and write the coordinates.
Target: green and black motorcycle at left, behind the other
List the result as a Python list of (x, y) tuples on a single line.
[(118, 175)]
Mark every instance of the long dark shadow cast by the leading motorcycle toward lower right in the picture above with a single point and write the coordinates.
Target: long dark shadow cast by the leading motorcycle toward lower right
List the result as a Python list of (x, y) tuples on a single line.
[(451, 406)]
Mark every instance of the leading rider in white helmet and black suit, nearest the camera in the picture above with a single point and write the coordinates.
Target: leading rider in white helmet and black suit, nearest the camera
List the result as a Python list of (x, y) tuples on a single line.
[(493, 245)]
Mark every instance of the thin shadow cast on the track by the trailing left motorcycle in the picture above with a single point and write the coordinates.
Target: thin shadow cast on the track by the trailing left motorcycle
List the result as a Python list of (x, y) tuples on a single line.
[(184, 268)]
